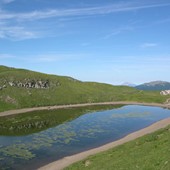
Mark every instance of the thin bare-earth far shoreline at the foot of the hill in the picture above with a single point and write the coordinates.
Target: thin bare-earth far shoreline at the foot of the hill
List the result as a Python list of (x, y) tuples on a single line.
[(25, 110)]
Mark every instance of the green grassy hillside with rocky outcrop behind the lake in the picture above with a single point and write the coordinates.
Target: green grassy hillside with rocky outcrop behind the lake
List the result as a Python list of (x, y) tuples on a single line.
[(23, 88)]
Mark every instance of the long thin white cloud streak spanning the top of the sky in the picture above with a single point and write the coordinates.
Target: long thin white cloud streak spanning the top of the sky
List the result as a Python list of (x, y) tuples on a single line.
[(120, 7)]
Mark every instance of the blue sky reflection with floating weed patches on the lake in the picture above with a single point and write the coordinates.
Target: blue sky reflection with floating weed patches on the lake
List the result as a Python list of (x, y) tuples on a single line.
[(88, 131)]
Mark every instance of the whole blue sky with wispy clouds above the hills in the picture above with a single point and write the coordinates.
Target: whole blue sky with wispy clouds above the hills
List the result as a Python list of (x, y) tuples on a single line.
[(111, 41)]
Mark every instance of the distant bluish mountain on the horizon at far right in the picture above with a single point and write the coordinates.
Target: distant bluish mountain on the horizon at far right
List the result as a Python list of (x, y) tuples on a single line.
[(154, 85)]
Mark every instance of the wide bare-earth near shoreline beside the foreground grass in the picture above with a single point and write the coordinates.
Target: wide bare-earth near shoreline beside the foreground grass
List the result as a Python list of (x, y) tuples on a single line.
[(66, 161)]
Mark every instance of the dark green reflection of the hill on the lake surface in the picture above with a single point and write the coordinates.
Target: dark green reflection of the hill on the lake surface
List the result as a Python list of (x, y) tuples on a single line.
[(32, 122)]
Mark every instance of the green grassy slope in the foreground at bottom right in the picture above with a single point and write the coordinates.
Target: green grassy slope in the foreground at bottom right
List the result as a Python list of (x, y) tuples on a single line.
[(151, 152)]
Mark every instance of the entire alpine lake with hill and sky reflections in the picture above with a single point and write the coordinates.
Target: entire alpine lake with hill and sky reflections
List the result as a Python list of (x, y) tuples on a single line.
[(31, 140)]
